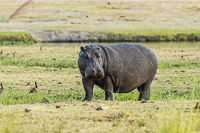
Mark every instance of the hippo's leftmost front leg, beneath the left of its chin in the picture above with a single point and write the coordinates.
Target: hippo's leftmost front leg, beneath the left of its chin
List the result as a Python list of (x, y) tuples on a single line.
[(88, 86)]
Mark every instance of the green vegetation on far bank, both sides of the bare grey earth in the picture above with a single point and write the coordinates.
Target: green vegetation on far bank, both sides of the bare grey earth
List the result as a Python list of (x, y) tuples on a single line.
[(111, 35)]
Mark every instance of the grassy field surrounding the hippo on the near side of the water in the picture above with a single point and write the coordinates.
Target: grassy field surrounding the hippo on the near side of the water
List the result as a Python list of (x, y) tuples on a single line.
[(57, 107)]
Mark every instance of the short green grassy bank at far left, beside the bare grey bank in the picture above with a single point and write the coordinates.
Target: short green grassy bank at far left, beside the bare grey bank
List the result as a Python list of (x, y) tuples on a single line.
[(16, 37)]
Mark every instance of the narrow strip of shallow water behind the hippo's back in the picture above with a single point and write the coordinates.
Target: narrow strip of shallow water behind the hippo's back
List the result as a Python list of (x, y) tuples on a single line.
[(150, 45)]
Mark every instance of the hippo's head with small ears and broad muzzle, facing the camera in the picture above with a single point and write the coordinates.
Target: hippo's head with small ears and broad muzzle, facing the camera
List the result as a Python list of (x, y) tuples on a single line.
[(90, 62)]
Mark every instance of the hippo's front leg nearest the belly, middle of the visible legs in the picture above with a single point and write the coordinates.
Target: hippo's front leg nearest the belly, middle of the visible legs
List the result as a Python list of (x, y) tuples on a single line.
[(108, 88)]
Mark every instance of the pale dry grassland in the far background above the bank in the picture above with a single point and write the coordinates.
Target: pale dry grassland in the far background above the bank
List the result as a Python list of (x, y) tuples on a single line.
[(99, 15)]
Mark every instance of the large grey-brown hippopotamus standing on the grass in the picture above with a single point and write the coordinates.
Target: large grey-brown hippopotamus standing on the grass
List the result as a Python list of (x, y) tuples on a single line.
[(118, 68)]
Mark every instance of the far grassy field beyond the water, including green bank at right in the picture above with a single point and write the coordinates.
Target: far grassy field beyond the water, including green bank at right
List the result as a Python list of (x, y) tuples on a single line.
[(117, 21)]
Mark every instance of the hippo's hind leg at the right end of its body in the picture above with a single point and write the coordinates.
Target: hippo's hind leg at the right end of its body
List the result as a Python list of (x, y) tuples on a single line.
[(144, 90)]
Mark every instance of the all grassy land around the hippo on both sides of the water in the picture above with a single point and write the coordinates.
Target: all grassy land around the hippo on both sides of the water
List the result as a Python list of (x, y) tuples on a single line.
[(57, 106)]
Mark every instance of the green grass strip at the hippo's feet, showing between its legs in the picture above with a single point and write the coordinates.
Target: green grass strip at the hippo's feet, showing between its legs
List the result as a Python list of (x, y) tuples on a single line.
[(17, 96)]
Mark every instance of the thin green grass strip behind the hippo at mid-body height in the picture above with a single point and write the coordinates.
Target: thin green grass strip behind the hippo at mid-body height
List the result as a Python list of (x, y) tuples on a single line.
[(34, 62)]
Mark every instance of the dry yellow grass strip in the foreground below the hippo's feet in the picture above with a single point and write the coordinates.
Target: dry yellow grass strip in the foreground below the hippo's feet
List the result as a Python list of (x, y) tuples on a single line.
[(130, 116)]
